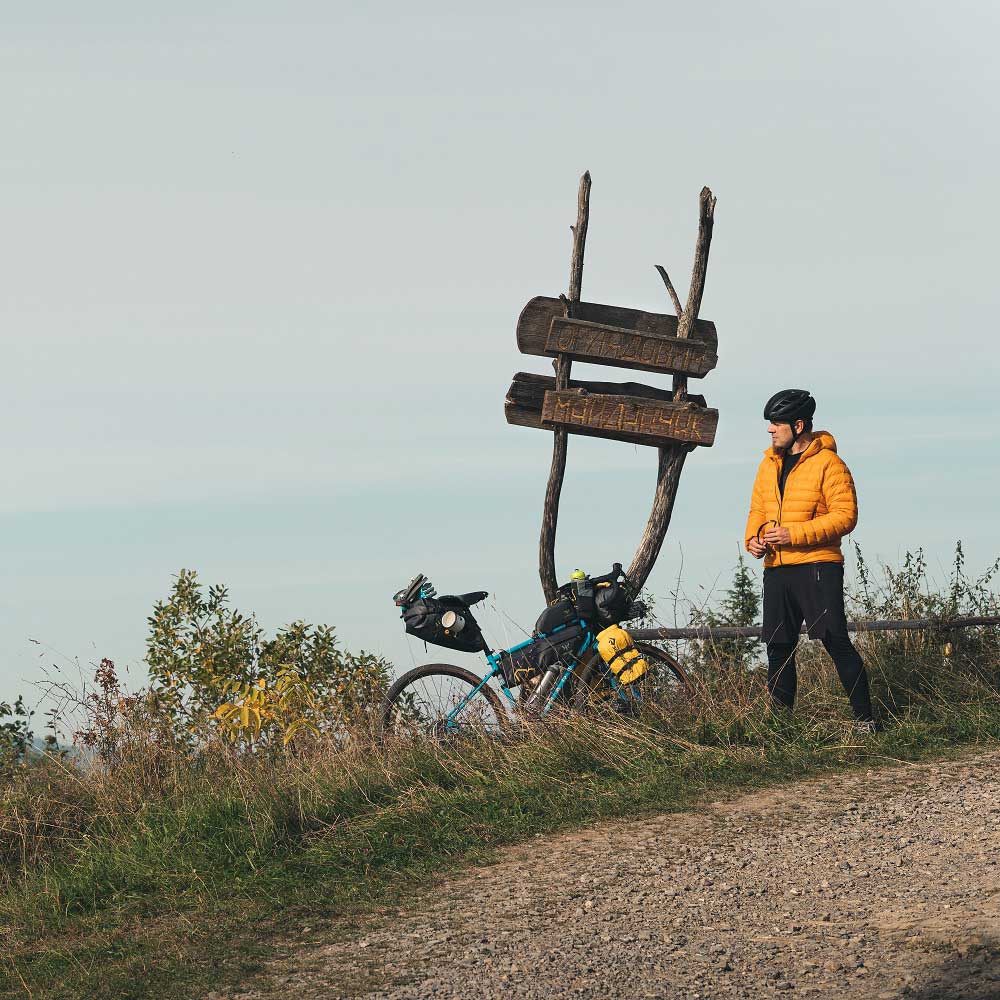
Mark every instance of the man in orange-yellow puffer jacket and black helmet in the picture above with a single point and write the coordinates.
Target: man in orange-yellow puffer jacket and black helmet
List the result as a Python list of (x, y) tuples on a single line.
[(803, 503)]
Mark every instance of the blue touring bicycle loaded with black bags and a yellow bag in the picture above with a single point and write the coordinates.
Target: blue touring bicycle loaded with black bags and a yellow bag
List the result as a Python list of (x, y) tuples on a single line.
[(578, 656)]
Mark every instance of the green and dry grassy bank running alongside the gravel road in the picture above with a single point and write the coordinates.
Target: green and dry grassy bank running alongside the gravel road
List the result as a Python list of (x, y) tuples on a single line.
[(171, 873)]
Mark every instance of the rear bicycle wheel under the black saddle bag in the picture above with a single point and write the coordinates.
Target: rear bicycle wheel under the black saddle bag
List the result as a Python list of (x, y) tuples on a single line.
[(441, 700)]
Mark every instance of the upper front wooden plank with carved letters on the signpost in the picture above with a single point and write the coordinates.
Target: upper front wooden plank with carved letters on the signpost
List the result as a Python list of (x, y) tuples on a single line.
[(624, 348)]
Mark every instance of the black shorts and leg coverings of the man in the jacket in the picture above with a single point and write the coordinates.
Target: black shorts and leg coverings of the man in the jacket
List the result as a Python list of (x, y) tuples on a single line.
[(812, 593)]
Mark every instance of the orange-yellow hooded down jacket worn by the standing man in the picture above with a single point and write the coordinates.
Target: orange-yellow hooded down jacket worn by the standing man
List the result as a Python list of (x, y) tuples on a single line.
[(819, 507)]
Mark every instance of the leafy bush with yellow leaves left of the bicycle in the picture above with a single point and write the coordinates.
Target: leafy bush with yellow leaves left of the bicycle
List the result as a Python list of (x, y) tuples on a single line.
[(211, 667)]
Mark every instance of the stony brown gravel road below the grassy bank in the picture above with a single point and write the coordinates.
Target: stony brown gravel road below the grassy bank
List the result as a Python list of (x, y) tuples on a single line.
[(877, 884)]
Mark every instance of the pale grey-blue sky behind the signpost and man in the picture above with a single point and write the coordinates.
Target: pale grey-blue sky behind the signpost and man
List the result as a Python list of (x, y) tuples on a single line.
[(263, 264)]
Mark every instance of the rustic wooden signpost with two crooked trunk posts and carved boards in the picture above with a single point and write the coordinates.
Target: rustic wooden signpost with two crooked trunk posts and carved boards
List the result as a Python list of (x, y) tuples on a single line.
[(568, 329)]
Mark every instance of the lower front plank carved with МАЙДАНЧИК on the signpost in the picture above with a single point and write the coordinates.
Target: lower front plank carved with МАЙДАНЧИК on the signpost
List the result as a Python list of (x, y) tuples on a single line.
[(629, 418)]
